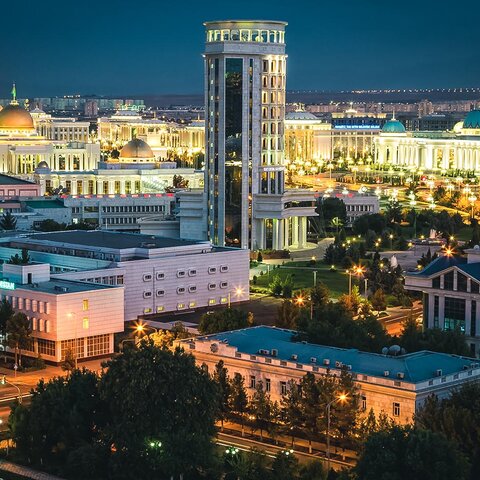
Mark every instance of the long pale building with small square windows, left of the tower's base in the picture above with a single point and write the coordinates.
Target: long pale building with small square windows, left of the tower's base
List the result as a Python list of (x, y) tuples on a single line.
[(160, 275)]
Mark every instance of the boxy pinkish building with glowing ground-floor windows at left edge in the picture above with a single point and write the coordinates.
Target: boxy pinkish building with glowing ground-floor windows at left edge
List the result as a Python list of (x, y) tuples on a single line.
[(63, 314)]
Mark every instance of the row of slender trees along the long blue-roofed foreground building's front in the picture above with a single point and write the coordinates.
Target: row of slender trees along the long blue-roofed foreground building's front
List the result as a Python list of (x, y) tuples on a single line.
[(301, 410)]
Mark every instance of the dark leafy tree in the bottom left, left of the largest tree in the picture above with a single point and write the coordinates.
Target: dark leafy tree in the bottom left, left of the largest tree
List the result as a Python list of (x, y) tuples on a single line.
[(65, 414)]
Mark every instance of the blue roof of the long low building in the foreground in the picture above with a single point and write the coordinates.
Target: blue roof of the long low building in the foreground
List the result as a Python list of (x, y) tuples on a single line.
[(416, 367)]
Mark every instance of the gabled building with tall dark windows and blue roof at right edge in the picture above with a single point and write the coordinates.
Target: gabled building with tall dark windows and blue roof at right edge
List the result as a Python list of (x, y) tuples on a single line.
[(451, 294)]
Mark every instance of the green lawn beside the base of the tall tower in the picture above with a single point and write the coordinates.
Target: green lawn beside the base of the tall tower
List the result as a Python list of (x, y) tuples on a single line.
[(336, 281)]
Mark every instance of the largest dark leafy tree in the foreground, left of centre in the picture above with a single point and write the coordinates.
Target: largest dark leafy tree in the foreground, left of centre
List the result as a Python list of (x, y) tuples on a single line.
[(162, 410)]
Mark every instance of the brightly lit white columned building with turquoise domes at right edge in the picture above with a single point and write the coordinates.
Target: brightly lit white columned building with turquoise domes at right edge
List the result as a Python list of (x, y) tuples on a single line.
[(431, 151)]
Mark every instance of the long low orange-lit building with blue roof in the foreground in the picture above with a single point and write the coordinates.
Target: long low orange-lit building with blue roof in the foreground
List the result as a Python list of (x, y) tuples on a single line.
[(396, 385)]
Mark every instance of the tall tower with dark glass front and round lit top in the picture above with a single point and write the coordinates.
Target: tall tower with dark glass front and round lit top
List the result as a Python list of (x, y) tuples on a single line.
[(245, 77)]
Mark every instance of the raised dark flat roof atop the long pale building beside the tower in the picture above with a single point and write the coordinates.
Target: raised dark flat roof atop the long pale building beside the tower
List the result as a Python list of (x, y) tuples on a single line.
[(115, 240)]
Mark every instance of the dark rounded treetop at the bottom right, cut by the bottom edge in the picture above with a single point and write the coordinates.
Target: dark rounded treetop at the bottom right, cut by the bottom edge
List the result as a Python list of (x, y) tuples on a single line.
[(403, 452)]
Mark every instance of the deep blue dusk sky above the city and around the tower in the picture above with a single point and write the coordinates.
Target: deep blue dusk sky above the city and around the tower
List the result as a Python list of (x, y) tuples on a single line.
[(121, 47)]
